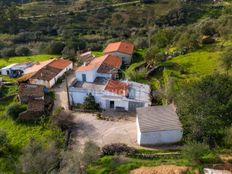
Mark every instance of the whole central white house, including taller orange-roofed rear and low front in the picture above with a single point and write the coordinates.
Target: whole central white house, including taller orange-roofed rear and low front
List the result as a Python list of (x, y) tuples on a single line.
[(97, 78)]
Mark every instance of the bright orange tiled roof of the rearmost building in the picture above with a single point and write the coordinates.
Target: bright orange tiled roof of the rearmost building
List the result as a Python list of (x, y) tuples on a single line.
[(124, 47)]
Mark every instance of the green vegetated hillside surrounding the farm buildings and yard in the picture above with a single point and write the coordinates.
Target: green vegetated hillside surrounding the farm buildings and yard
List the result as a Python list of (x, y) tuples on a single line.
[(180, 50)]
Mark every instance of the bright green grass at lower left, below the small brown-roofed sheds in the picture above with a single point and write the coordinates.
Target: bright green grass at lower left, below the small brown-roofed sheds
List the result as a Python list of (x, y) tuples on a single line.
[(19, 134)]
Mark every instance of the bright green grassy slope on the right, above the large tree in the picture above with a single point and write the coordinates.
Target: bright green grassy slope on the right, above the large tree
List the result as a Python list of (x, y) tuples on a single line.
[(190, 67)]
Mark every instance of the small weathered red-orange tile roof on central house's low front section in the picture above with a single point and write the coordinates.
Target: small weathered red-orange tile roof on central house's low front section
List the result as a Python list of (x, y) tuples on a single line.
[(117, 87)]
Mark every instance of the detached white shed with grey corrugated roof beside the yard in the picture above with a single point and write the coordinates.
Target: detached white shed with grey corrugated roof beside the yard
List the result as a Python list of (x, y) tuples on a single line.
[(158, 125)]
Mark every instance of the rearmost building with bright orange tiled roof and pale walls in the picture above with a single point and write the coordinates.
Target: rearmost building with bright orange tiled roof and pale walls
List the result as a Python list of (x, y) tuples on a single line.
[(124, 50)]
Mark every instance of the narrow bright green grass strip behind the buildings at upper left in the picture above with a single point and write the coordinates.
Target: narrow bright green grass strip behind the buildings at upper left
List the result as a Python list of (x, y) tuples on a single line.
[(22, 59)]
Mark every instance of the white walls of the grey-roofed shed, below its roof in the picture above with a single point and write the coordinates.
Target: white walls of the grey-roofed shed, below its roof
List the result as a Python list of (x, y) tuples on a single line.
[(159, 137)]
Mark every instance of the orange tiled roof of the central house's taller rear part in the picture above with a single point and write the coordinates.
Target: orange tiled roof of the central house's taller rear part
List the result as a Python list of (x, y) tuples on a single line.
[(102, 64)]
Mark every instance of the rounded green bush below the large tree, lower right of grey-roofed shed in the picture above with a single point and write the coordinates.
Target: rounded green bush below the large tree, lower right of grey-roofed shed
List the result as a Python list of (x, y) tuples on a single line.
[(194, 151)]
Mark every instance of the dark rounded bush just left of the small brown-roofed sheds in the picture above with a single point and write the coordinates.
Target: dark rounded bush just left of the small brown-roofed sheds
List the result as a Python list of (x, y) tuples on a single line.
[(15, 109)]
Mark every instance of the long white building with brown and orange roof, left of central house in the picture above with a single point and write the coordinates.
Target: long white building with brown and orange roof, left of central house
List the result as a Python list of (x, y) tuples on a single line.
[(48, 75)]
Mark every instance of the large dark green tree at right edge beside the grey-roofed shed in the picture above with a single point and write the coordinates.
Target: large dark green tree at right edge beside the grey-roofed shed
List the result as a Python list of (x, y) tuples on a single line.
[(205, 108)]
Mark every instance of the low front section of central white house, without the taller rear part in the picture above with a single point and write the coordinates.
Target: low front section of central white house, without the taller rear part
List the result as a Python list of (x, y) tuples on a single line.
[(111, 94)]
